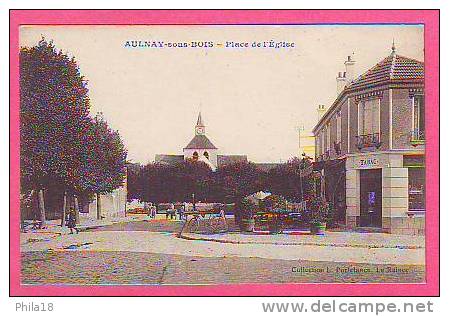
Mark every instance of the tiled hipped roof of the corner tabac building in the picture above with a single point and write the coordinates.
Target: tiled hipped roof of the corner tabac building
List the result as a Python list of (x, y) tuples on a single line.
[(394, 68)]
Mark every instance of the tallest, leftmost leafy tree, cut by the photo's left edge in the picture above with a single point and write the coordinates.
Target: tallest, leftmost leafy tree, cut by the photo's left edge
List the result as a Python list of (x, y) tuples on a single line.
[(54, 108)]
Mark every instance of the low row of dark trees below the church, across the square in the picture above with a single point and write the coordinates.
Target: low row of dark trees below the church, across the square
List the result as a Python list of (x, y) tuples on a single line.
[(229, 184)]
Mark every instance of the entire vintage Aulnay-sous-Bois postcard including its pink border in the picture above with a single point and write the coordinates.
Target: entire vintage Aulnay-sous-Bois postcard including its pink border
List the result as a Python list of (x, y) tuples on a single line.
[(282, 152)]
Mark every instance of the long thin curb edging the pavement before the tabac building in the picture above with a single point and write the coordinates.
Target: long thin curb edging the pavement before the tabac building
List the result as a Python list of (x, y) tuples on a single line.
[(223, 241)]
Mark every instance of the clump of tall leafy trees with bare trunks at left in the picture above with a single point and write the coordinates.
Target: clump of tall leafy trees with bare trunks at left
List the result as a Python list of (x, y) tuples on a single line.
[(64, 150)]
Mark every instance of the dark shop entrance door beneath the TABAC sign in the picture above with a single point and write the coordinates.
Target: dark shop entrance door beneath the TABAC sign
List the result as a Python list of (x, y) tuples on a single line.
[(371, 198)]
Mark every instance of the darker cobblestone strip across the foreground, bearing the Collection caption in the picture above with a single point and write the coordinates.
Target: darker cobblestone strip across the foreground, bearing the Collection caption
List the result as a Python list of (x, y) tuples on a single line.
[(87, 267)]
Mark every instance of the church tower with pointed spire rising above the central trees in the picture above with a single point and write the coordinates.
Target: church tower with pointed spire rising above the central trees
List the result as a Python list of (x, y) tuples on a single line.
[(200, 147)]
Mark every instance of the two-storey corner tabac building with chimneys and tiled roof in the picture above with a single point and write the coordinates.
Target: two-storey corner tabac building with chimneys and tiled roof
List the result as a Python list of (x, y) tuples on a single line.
[(372, 145)]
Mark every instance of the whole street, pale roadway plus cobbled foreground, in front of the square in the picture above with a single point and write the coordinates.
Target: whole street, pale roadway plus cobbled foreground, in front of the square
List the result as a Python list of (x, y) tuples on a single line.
[(144, 252)]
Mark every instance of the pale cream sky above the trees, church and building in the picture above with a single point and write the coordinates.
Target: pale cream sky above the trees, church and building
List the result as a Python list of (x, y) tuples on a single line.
[(252, 100)]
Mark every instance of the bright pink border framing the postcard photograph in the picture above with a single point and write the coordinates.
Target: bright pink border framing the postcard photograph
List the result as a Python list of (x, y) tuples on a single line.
[(430, 18)]
